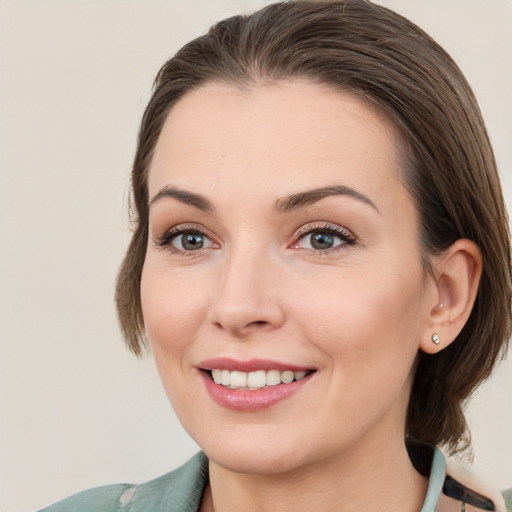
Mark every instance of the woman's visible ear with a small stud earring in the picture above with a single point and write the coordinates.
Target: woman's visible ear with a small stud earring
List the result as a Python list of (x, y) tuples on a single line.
[(457, 274)]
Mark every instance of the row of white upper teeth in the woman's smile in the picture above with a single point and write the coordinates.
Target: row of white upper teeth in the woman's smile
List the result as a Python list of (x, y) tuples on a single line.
[(255, 380)]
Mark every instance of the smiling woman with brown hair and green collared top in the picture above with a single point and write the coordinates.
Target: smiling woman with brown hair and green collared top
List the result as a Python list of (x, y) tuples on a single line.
[(320, 265)]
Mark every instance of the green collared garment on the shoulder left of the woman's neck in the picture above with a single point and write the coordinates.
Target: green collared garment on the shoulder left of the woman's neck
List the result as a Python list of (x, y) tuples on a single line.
[(181, 488)]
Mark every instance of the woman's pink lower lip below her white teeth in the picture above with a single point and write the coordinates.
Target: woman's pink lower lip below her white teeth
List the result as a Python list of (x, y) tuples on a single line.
[(246, 400)]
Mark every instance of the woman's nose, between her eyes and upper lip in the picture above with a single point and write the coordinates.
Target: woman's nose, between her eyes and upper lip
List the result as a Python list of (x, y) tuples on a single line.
[(248, 298)]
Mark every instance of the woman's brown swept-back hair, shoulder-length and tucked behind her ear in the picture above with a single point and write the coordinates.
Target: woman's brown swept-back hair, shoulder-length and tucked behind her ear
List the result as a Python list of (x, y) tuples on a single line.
[(451, 171)]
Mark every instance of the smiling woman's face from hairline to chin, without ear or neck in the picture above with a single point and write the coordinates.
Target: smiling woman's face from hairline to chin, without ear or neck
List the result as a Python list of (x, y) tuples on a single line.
[(282, 245)]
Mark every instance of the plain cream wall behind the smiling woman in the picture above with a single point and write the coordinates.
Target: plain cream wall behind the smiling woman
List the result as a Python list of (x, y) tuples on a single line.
[(76, 409)]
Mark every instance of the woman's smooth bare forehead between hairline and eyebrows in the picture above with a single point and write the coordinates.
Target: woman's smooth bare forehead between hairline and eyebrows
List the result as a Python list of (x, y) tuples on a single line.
[(275, 139)]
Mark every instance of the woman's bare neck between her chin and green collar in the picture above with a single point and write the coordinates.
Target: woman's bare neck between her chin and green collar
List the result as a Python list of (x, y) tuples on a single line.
[(369, 477)]
